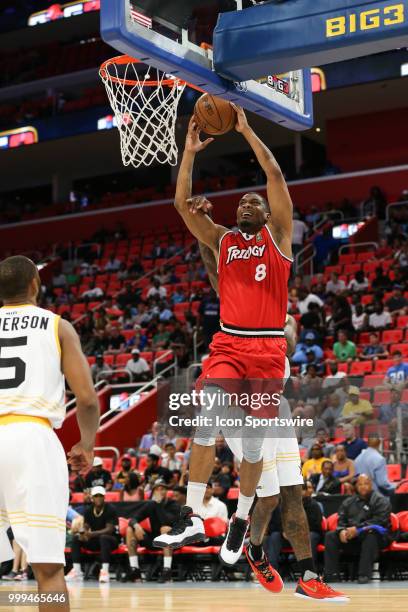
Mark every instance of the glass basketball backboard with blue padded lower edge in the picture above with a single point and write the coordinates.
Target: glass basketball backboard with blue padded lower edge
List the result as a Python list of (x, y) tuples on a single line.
[(176, 37)]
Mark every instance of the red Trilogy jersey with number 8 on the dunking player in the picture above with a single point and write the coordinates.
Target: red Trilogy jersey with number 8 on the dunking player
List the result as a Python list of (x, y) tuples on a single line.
[(253, 276)]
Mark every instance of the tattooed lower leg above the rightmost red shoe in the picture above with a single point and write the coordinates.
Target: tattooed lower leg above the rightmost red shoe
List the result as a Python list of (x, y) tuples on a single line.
[(294, 521)]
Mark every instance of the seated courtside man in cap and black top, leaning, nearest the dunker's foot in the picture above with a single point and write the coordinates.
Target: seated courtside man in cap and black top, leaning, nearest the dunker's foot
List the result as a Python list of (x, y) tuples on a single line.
[(162, 513)]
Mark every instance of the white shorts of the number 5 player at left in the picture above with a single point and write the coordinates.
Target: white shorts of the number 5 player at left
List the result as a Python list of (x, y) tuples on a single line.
[(34, 492)]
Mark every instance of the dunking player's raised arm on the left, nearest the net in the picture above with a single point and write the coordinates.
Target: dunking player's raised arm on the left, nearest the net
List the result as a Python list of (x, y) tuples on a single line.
[(199, 224)]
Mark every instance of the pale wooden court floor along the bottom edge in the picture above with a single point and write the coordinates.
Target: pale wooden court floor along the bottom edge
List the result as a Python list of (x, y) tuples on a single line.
[(238, 597)]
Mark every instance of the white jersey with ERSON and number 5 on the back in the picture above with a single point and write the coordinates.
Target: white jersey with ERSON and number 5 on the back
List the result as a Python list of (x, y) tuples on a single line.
[(31, 381)]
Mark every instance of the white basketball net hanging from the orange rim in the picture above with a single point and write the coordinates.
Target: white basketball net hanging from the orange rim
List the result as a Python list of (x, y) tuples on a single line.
[(145, 110)]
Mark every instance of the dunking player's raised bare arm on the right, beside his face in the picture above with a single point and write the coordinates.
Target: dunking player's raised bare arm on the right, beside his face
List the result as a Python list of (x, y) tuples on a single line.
[(280, 221)]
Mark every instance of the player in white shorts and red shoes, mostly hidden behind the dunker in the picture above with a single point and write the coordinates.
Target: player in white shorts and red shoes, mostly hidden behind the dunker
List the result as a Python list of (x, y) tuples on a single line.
[(281, 480)]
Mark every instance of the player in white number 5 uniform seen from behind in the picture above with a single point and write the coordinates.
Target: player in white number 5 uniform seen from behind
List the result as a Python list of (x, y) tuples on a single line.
[(38, 351)]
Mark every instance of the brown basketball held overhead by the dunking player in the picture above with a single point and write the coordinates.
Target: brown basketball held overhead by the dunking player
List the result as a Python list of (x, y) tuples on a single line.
[(215, 116)]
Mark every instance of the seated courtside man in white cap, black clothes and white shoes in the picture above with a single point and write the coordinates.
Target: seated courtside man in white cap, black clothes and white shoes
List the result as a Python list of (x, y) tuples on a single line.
[(100, 533)]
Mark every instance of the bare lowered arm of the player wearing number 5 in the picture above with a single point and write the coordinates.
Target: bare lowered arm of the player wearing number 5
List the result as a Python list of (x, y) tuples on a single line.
[(76, 370)]
